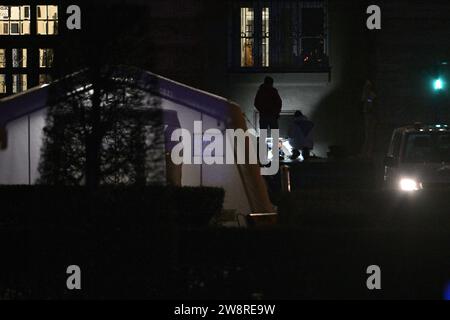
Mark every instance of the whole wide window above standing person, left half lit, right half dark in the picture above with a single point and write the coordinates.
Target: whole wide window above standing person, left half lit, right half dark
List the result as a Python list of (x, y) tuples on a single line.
[(281, 35)]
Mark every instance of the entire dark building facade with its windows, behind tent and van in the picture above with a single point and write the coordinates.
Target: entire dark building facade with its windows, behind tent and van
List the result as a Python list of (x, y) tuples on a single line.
[(319, 52)]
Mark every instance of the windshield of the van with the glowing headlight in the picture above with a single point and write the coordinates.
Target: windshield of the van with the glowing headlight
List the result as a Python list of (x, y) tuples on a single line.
[(427, 147)]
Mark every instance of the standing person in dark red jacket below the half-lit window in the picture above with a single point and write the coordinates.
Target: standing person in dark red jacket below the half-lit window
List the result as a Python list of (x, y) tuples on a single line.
[(268, 103)]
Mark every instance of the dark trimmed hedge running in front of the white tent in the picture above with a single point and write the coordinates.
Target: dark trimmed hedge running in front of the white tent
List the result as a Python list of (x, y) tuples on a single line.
[(121, 207)]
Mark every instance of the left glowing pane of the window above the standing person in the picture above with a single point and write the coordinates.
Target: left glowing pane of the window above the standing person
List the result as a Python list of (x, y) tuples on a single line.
[(247, 37)]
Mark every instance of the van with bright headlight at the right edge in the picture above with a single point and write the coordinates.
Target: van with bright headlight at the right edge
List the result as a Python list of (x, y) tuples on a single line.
[(418, 158)]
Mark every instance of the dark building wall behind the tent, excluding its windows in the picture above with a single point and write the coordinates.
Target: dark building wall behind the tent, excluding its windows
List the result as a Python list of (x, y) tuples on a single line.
[(187, 40)]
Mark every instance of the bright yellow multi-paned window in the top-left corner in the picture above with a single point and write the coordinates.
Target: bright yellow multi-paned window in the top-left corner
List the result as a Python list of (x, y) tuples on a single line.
[(14, 20)]
